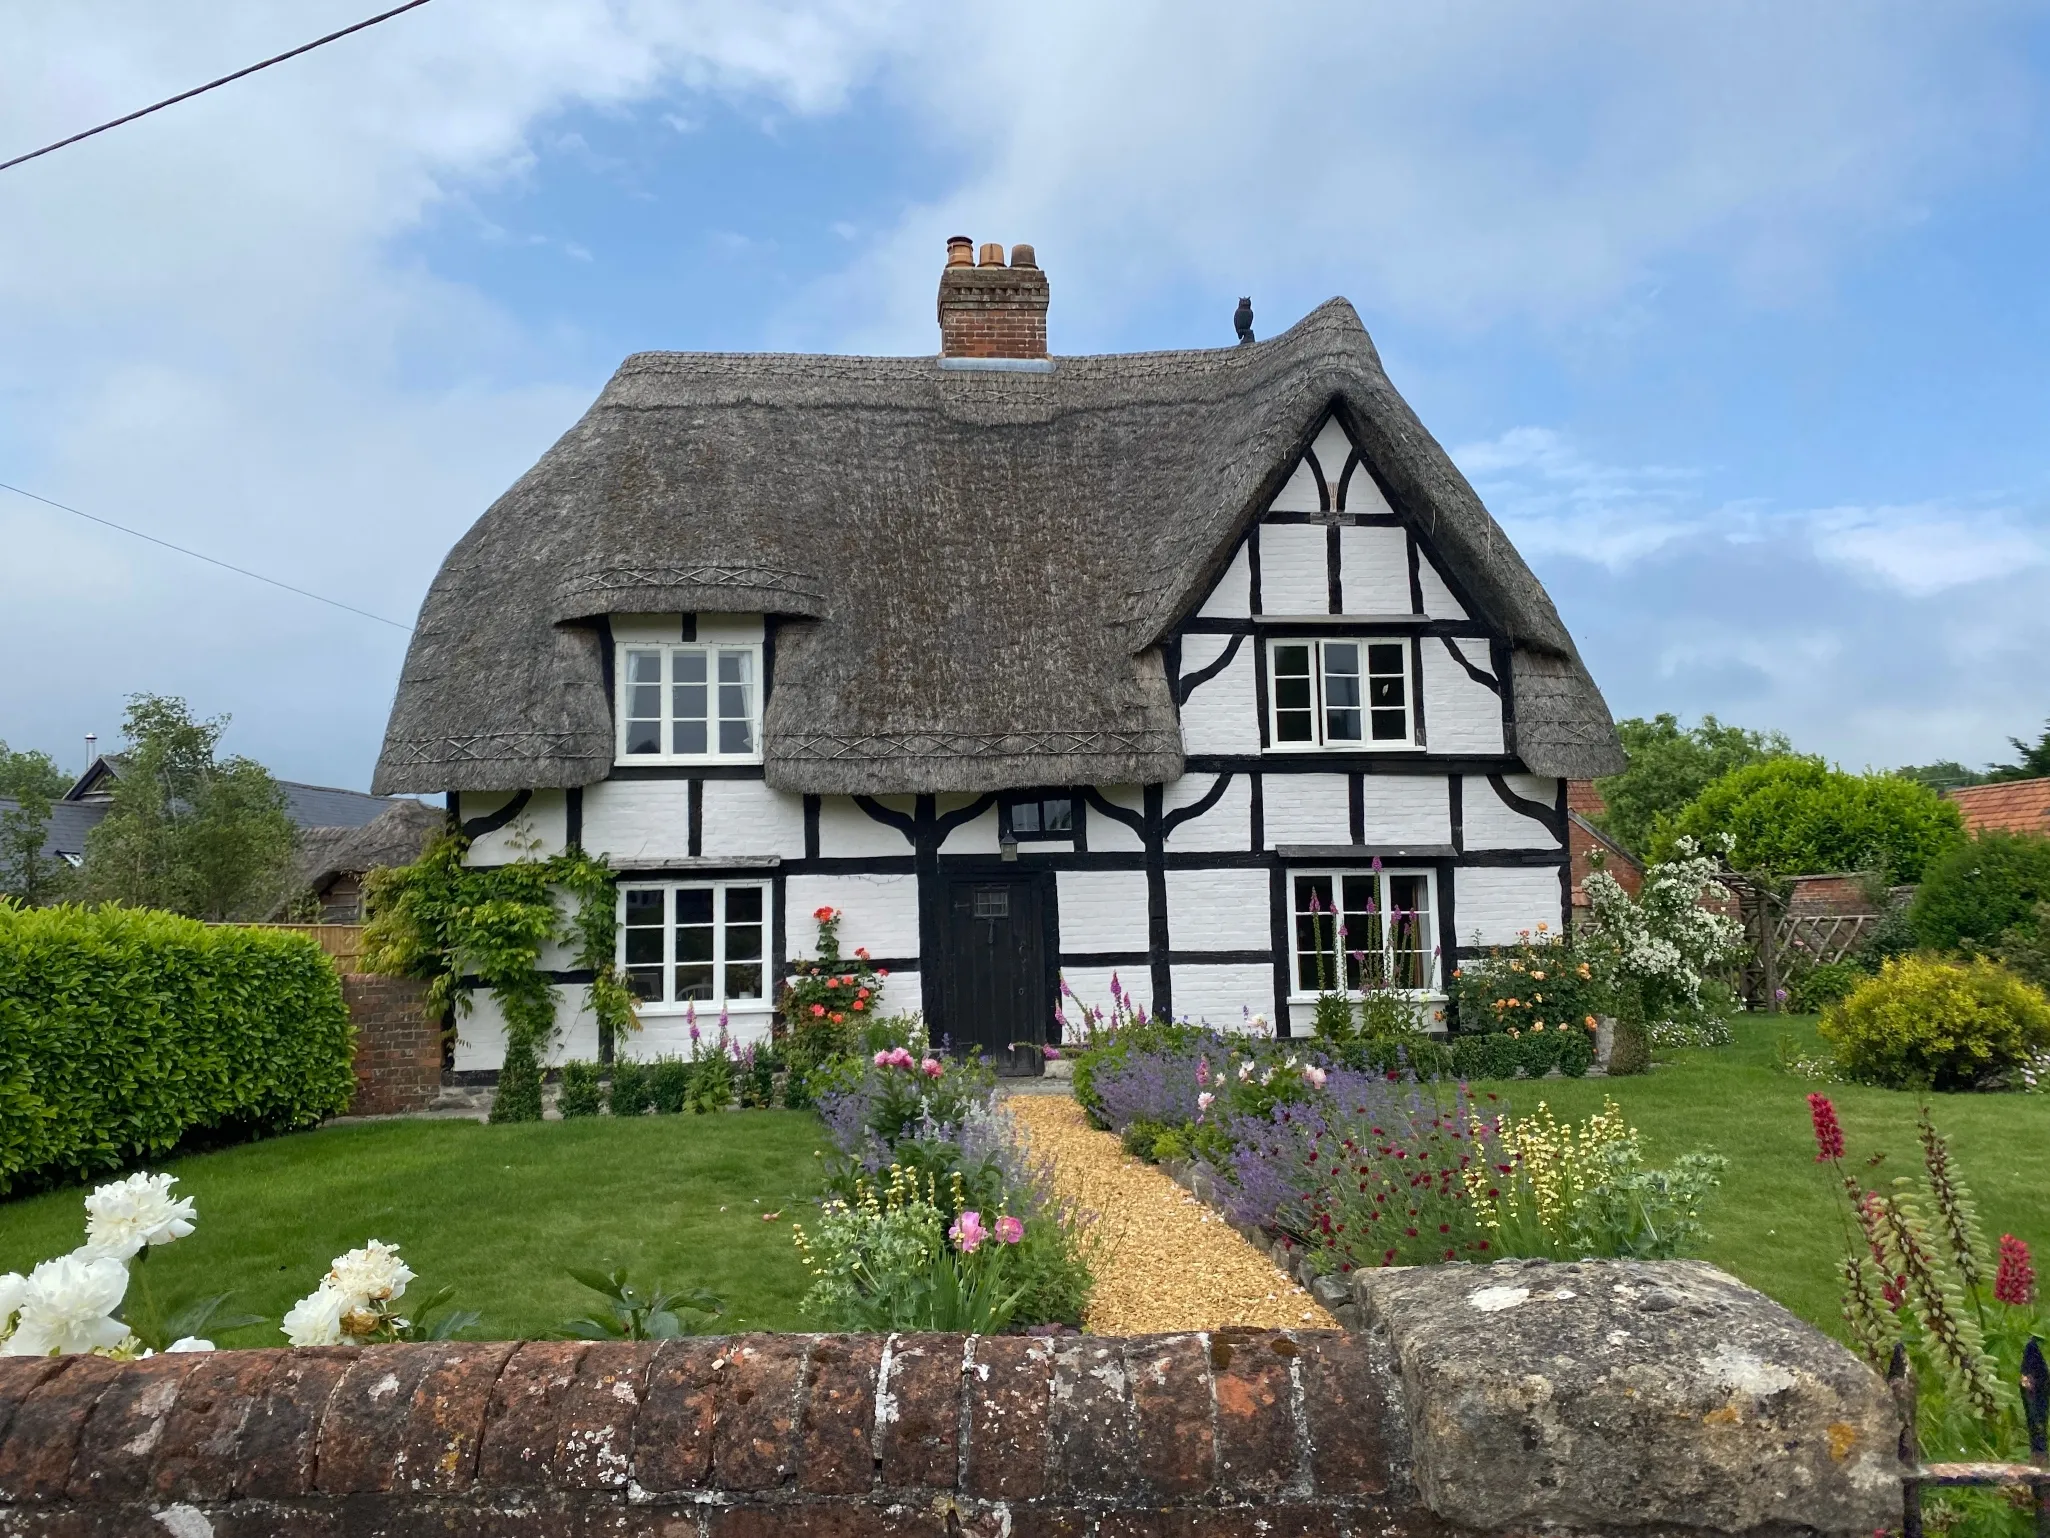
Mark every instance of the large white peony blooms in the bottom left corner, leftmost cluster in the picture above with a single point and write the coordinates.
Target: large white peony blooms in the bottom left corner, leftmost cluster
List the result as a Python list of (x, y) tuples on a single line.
[(81, 1303)]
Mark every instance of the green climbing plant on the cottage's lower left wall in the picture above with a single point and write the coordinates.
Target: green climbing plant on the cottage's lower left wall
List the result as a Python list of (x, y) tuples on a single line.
[(444, 922)]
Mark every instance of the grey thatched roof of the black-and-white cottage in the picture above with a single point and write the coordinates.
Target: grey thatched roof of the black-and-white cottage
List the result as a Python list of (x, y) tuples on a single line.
[(979, 563)]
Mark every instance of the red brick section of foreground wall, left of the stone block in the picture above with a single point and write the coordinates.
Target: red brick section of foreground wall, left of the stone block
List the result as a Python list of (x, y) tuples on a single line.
[(729, 1439)]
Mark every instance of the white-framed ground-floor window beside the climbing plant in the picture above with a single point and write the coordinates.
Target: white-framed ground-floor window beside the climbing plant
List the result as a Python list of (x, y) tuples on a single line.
[(696, 942)]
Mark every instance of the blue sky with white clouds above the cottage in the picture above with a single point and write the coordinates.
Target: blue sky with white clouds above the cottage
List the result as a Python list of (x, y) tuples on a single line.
[(1733, 313)]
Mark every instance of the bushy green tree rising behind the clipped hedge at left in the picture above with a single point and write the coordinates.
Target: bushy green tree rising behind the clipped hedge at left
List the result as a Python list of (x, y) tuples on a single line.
[(190, 832)]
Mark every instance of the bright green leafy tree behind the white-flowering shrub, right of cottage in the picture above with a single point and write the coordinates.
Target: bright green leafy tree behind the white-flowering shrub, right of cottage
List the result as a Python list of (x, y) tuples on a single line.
[(1797, 815)]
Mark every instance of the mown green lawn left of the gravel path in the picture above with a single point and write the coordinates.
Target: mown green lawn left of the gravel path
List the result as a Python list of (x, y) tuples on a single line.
[(495, 1211)]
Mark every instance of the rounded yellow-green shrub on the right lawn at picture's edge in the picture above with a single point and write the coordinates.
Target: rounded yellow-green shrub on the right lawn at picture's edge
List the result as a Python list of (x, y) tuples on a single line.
[(1938, 1026)]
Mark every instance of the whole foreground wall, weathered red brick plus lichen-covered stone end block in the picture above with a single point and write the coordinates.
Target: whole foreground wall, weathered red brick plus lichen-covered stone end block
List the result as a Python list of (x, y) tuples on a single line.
[(1596, 1398)]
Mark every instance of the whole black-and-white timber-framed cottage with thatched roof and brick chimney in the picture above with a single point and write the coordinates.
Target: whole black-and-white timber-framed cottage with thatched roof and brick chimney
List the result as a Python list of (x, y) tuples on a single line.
[(1032, 665)]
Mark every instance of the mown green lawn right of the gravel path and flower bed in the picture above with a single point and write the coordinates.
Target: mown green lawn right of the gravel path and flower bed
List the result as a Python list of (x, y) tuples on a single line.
[(1776, 1221)]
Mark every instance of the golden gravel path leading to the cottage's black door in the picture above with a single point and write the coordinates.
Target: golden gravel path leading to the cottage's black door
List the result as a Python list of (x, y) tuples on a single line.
[(1167, 1262)]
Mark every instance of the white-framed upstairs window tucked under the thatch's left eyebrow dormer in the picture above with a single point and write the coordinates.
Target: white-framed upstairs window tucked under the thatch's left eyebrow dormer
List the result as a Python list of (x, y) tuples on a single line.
[(690, 704)]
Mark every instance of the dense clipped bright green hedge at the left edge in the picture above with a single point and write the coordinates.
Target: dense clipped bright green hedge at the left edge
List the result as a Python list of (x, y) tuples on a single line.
[(126, 1033)]
